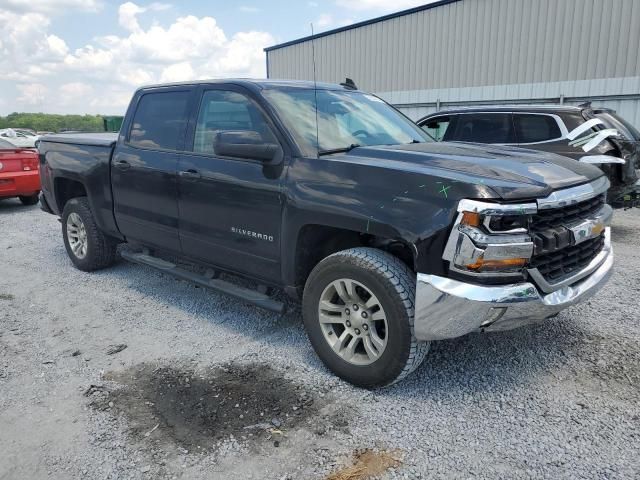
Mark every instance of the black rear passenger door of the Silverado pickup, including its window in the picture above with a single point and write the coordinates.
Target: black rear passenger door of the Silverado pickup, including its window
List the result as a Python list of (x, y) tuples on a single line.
[(144, 168)]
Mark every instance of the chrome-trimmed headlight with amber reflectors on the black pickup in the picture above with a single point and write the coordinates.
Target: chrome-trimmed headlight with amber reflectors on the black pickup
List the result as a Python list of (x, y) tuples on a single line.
[(490, 239)]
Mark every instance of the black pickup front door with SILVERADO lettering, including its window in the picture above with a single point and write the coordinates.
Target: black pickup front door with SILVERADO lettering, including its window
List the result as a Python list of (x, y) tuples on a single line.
[(230, 208)]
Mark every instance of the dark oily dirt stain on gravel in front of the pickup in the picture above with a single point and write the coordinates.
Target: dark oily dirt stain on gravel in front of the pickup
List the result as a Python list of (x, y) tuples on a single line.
[(199, 409)]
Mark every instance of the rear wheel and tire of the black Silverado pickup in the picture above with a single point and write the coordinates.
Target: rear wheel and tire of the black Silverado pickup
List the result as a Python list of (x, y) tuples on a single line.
[(99, 251)]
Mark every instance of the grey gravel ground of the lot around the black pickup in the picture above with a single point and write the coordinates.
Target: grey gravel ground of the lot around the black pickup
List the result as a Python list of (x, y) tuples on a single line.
[(556, 400)]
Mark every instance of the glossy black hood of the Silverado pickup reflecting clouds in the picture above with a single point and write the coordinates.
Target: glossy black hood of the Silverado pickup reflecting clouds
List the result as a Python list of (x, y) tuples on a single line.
[(513, 173)]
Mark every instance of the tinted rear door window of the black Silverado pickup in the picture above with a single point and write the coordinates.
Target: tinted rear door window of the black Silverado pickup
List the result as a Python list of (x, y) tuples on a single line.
[(160, 121)]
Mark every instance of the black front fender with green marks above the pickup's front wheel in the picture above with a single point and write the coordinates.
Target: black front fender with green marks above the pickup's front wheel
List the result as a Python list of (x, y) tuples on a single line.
[(416, 209)]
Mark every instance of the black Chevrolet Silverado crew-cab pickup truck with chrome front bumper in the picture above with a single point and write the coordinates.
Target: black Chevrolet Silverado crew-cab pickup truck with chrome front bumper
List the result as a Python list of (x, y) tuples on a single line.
[(388, 240)]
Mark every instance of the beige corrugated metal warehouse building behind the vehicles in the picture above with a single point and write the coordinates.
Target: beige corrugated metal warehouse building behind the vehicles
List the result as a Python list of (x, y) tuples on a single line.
[(466, 52)]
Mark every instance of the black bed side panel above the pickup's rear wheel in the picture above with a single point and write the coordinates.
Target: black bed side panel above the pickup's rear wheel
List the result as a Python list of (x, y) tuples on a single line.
[(88, 164)]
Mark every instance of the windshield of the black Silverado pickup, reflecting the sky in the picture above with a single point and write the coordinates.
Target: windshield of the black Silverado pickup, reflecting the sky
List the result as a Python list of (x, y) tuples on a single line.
[(345, 120)]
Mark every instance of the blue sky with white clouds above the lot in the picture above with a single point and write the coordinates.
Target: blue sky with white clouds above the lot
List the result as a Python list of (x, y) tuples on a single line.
[(87, 56)]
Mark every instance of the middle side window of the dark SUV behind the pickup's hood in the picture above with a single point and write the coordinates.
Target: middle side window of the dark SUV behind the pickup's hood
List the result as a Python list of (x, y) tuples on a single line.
[(484, 128)]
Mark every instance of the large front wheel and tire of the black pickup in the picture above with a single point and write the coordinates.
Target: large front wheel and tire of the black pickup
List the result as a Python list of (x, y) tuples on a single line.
[(392, 287)]
